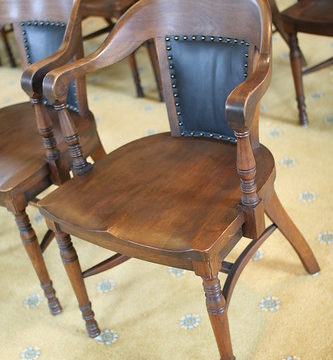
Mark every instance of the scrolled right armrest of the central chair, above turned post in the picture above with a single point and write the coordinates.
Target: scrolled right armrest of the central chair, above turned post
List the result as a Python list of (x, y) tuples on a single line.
[(242, 102)]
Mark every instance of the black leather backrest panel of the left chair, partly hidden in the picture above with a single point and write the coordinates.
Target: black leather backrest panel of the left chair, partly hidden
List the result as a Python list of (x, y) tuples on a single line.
[(42, 39)]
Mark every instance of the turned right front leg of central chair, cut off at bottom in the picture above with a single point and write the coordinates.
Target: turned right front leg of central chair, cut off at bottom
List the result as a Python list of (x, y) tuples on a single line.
[(217, 312)]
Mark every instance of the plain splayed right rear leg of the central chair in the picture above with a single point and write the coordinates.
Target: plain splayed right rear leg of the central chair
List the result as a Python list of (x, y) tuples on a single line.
[(281, 219)]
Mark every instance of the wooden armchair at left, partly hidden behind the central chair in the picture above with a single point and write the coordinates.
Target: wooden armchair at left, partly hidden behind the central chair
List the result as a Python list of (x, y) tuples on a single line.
[(25, 171)]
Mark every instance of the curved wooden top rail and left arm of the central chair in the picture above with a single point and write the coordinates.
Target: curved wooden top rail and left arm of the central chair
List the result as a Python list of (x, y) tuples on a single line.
[(157, 18)]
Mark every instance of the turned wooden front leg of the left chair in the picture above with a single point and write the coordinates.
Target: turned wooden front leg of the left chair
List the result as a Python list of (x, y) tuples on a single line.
[(33, 249)]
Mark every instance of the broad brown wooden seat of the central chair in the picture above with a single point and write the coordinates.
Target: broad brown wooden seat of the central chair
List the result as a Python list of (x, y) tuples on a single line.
[(144, 198)]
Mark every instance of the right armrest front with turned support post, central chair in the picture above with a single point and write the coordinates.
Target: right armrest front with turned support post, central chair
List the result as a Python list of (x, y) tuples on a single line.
[(241, 107)]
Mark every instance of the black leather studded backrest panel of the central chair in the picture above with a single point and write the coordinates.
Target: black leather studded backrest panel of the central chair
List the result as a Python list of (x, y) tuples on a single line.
[(204, 70)]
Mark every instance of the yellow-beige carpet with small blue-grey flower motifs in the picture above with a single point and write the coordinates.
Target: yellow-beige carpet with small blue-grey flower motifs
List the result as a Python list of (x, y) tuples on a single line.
[(147, 311)]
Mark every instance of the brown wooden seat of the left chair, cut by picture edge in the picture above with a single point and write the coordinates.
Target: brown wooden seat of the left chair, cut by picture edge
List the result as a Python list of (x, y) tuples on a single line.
[(22, 155)]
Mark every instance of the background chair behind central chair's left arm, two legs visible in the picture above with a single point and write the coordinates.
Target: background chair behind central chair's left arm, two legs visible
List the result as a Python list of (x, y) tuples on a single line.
[(111, 11)]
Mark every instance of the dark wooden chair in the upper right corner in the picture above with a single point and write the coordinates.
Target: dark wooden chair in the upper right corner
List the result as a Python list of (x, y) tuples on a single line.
[(307, 16)]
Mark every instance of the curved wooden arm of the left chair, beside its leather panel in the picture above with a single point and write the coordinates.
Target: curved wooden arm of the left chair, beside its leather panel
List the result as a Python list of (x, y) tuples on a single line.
[(32, 77)]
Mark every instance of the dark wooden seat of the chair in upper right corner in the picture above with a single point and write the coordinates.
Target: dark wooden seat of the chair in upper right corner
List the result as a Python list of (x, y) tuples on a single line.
[(313, 16)]
